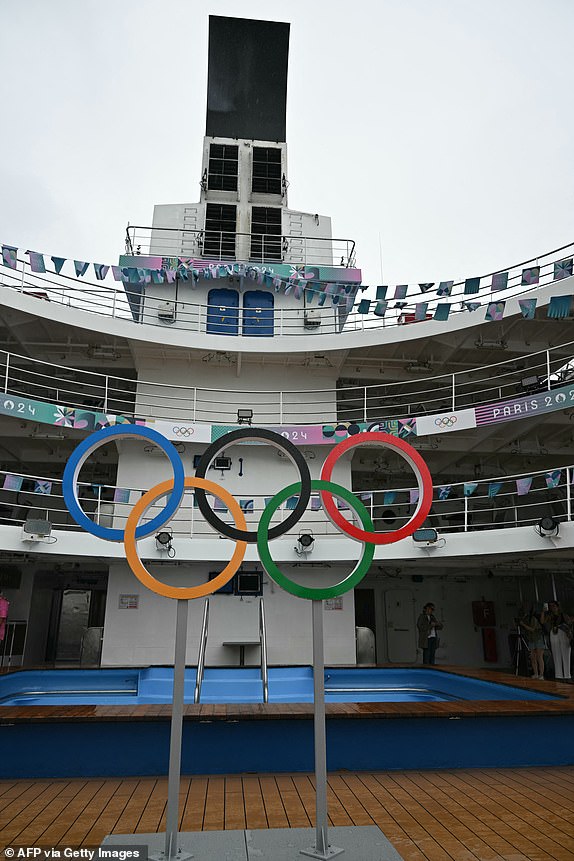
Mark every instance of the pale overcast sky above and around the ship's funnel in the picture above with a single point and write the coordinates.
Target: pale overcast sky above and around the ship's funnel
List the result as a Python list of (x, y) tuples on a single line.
[(439, 130)]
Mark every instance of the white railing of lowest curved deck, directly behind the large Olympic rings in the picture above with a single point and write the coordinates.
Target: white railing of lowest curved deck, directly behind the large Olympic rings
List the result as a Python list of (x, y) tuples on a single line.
[(492, 503)]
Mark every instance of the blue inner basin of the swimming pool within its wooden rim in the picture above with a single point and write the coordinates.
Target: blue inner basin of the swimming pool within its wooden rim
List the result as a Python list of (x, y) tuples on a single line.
[(145, 686)]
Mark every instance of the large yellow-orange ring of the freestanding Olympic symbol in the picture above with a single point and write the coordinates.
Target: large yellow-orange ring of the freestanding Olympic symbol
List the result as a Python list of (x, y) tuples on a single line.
[(139, 568)]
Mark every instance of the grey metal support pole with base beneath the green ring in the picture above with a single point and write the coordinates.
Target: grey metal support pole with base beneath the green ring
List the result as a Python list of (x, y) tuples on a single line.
[(321, 849)]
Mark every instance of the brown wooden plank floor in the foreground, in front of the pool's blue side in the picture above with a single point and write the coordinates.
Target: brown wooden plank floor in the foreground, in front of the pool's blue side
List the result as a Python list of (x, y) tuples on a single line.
[(457, 815)]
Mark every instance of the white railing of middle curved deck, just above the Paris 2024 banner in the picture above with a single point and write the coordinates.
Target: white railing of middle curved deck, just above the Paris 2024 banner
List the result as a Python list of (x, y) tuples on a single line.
[(81, 389)]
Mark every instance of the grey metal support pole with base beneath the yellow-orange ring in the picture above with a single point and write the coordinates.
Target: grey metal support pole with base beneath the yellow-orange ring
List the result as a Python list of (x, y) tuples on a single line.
[(173, 781)]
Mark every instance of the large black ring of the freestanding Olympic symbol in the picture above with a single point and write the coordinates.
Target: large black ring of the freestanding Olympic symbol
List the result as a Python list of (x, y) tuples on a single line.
[(279, 442)]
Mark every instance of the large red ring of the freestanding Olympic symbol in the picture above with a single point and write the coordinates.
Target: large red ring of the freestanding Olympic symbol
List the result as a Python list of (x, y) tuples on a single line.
[(420, 468)]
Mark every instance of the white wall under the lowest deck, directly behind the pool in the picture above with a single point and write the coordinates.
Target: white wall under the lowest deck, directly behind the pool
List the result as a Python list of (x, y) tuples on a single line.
[(146, 635)]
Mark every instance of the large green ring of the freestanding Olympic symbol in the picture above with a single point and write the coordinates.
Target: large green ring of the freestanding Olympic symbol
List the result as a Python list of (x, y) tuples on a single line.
[(281, 579)]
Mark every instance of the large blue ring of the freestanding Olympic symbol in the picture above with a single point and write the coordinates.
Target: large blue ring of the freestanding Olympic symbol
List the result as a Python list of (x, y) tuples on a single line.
[(84, 450)]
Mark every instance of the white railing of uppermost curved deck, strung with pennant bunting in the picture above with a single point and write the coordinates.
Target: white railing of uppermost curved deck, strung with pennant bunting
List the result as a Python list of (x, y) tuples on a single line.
[(111, 301)]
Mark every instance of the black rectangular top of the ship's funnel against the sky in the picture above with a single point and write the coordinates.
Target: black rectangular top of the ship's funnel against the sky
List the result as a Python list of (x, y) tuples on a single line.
[(247, 79)]
